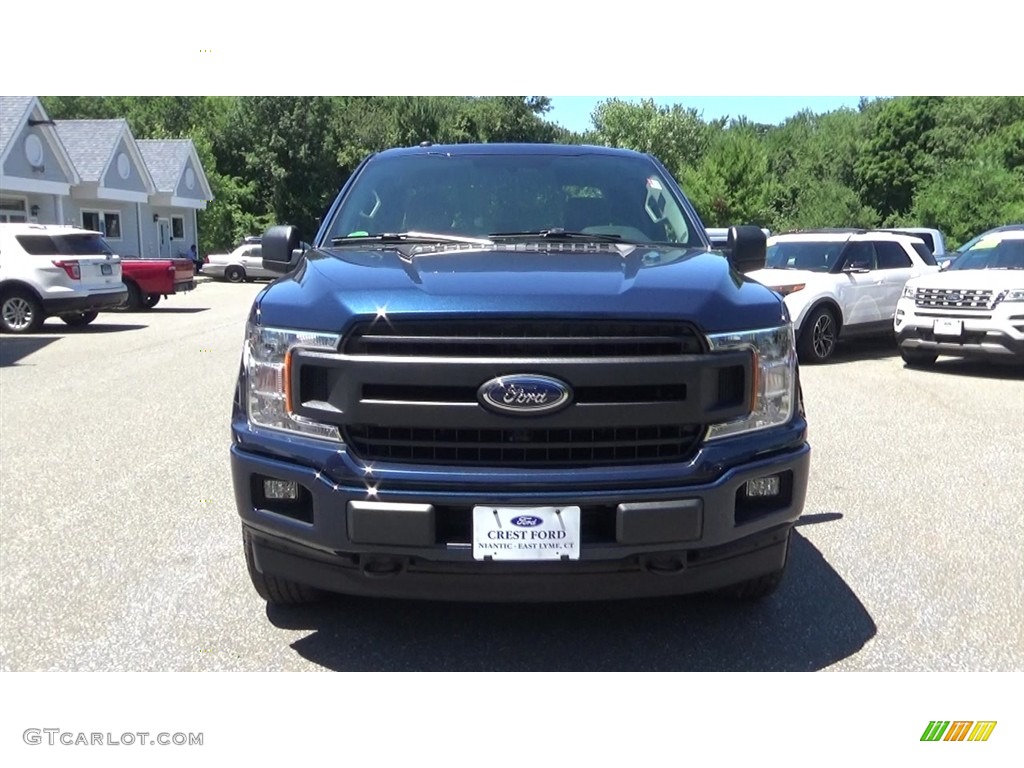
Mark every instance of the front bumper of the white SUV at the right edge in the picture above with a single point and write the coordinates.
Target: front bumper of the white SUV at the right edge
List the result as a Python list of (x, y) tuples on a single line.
[(995, 334)]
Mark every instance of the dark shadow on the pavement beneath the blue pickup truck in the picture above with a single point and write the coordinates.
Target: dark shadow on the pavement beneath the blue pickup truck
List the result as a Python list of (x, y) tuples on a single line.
[(814, 621)]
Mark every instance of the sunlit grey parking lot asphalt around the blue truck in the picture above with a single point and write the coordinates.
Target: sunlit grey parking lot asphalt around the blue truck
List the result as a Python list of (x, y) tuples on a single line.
[(121, 546)]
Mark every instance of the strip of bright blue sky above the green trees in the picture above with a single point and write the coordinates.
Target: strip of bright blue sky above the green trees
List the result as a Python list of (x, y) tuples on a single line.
[(574, 112)]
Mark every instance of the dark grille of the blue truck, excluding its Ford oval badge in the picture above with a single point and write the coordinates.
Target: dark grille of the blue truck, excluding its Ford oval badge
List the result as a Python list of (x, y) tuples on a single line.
[(408, 392)]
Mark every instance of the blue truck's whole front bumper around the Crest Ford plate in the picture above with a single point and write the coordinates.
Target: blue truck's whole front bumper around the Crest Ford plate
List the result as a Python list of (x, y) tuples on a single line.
[(332, 539)]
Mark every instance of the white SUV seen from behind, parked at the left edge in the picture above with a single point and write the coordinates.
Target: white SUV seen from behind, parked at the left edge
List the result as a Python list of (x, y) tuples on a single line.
[(56, 271)]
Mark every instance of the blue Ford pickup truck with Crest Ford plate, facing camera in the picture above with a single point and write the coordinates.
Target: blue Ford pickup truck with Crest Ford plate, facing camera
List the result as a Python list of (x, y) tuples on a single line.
[(517, 372)]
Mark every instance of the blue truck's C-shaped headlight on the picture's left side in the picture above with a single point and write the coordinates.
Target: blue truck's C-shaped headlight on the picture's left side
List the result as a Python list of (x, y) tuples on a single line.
[(267, 358)]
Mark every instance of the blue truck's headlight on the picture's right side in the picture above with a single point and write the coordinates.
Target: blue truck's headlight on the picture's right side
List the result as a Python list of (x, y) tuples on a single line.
[(776, 375)]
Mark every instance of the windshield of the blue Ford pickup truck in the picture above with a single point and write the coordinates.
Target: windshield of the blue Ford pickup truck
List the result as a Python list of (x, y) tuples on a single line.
[(480, 196)]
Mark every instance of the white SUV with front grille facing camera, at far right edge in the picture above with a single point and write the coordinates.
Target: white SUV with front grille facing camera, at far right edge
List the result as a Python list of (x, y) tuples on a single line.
[(973, 310)]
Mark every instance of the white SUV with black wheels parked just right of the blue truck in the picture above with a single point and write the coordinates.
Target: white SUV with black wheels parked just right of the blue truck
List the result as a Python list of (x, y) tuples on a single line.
[(842, 283)]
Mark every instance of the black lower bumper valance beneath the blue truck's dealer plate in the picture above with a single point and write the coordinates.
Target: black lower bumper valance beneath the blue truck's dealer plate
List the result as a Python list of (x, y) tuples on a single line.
[(641, 576)]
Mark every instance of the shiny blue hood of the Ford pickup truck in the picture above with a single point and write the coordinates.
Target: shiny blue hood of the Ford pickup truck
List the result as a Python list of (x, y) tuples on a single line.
[(332, 286)]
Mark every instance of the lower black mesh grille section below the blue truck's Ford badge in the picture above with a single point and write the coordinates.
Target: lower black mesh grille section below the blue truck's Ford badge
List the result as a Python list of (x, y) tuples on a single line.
[(524, 448)]
